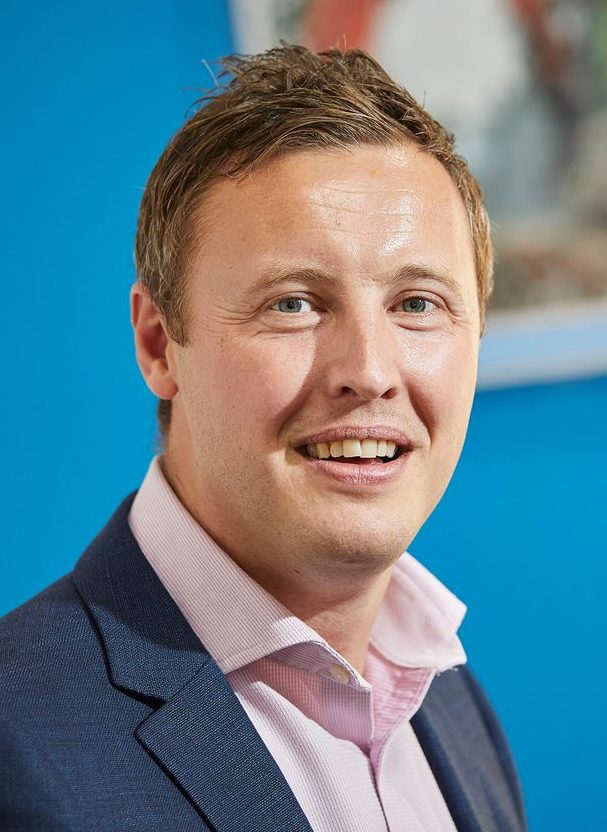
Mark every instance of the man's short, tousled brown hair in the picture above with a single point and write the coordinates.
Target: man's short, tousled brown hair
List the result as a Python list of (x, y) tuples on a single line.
[(281, 101)]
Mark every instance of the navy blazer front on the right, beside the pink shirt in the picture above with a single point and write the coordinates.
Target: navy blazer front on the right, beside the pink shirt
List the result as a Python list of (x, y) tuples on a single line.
[(462, 755)]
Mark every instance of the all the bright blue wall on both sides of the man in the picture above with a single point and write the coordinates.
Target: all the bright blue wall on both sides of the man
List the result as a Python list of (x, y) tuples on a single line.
[(91, 94)]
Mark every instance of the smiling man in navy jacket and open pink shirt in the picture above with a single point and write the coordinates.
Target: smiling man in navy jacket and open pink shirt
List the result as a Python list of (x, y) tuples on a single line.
[(244, 646)]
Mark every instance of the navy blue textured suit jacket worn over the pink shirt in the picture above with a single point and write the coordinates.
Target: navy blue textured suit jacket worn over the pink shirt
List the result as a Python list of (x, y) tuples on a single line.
[(113, 716)]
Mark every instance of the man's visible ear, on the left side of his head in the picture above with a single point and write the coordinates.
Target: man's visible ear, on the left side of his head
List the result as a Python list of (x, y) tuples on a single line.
[(152, 344)]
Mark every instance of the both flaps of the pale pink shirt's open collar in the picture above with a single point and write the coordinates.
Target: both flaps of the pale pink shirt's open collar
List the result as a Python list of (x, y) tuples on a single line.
[(416, 625)]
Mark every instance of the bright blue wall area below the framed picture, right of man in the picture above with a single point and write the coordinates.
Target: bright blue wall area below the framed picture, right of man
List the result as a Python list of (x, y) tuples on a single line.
[(520, 537)]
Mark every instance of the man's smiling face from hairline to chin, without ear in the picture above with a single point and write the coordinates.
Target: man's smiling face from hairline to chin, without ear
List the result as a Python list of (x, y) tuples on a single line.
[(333, 298)]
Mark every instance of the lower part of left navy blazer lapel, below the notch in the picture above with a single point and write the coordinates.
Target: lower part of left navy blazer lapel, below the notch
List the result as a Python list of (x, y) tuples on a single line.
[(204, 738)]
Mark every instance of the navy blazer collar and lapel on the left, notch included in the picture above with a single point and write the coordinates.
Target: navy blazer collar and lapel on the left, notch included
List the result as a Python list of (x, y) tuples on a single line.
[(198, 731)]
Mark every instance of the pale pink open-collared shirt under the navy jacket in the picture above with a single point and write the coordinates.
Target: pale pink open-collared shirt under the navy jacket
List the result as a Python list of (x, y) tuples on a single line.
[(343, 742)]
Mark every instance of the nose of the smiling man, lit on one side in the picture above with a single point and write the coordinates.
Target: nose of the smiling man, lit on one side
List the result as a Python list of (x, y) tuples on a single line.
[(364, 359)]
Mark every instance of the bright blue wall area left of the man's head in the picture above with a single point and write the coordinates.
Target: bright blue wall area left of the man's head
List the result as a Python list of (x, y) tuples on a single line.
[(91, 93)]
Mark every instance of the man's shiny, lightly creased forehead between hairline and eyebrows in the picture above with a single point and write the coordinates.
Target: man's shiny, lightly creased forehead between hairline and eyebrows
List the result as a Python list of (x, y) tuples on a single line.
[(358, 210)]
